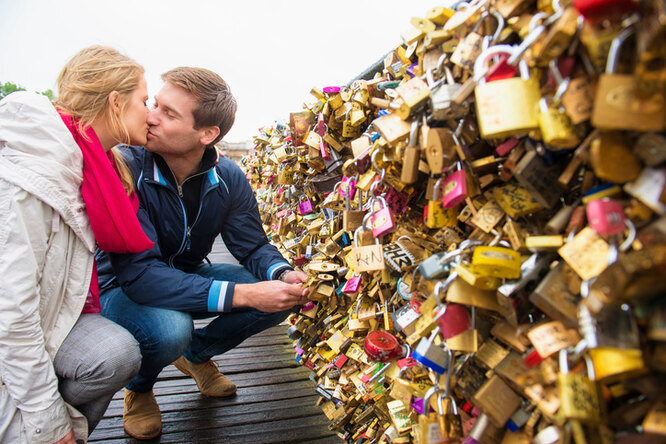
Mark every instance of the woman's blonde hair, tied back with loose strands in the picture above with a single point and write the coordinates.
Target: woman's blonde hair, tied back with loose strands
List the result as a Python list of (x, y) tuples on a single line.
[(84, 85)]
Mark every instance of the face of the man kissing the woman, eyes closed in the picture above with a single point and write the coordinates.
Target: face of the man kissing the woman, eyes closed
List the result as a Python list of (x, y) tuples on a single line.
[(171, 121)]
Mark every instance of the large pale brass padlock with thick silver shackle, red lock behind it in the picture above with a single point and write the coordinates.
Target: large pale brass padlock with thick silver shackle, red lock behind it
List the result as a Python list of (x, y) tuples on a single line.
[(505, 107)]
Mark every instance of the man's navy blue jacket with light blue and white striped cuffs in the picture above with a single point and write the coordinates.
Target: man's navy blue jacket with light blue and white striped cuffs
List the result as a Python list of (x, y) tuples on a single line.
[(162, 277)]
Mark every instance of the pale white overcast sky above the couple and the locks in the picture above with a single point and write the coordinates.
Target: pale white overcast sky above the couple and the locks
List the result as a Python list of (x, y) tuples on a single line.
[(270, 52)]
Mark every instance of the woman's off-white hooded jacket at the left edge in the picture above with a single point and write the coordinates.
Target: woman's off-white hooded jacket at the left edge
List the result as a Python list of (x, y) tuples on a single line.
[(46, 260)]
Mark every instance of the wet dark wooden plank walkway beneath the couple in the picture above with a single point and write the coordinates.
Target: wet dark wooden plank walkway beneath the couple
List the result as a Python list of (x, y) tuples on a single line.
[(275, 401)]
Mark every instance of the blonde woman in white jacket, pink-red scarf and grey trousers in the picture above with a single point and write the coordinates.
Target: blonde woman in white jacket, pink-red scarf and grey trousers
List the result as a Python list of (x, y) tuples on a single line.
[(59, 195)]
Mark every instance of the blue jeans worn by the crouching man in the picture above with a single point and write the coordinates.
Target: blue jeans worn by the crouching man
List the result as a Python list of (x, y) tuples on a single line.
[(165, 335)]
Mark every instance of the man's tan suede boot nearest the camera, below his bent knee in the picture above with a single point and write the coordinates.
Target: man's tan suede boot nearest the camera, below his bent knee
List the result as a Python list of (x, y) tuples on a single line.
[(141, 417)]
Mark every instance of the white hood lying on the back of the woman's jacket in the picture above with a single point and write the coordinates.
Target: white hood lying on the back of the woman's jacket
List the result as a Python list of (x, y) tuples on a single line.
[(39, 154)]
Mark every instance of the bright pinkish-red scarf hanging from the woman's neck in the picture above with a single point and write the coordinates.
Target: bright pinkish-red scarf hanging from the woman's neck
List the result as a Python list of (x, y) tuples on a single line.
[(111, 212)]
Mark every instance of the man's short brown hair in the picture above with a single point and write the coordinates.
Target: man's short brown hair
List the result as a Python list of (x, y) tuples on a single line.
[(217, 107)]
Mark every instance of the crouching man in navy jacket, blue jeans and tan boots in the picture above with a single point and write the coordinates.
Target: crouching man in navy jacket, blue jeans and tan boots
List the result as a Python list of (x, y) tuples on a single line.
[(189, 195)]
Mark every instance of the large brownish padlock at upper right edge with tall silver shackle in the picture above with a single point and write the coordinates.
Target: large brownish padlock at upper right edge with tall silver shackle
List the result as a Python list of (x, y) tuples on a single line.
[(616, 103)]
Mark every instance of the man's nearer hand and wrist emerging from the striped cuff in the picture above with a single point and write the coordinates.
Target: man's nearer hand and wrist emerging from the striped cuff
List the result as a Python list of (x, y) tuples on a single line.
[(270, 296)]
